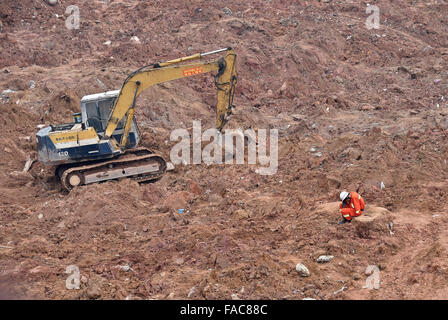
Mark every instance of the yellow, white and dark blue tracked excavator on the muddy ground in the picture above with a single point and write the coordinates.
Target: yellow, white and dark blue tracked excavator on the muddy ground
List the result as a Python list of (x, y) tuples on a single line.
[(102, 142)]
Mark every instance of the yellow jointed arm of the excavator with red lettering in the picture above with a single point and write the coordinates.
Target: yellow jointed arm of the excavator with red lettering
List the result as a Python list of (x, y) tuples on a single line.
[(137, 82)]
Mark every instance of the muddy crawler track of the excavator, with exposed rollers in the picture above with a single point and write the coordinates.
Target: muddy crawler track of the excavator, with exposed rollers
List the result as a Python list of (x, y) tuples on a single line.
[(139, 164)]
